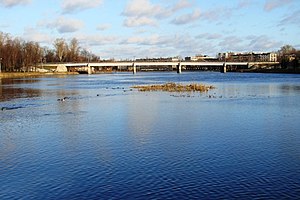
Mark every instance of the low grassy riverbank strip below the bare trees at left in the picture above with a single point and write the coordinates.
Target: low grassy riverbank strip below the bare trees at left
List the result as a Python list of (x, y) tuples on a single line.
[(29, 74)]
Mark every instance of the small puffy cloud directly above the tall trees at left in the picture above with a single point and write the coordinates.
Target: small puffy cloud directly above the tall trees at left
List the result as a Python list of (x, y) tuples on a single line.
[(65, 25)]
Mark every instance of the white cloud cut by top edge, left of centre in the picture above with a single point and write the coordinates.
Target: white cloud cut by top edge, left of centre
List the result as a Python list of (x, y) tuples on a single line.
[(70, 6)]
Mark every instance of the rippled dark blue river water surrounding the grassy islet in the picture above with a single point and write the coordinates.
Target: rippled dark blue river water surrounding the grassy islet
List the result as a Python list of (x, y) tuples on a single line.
[(108, 141)]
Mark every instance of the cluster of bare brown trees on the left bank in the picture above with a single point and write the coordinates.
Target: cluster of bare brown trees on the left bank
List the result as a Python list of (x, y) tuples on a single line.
[(17, 54)]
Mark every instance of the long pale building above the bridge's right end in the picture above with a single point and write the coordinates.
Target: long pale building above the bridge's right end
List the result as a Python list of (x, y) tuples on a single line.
[(248, 57)]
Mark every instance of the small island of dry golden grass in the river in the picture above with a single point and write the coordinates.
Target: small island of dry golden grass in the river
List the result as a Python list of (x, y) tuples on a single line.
[(173, 87)]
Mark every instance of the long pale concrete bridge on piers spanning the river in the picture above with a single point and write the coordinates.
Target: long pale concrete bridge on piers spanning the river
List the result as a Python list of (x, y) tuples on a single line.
[(88, 67)]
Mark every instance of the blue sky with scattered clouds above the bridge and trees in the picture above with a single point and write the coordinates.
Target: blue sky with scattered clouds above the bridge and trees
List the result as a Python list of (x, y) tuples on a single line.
[(126, 29)]
